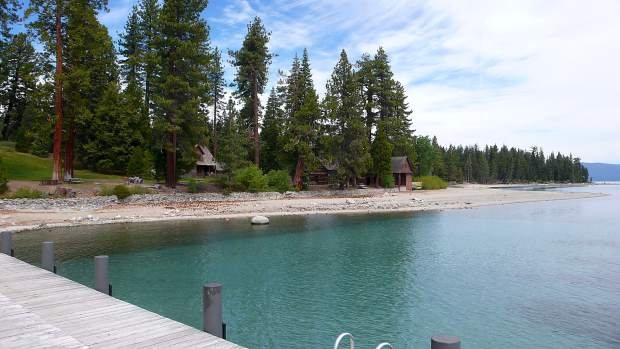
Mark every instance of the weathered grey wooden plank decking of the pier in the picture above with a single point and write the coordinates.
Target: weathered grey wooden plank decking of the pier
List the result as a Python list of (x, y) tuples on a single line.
[(39, 309)]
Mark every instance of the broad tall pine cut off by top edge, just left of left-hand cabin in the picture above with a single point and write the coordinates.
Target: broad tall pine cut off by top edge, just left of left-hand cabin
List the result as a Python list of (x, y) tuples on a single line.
[(184, 58)]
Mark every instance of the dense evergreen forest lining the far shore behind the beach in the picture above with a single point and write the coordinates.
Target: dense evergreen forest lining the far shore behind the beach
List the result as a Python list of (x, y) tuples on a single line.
[(139, 106)]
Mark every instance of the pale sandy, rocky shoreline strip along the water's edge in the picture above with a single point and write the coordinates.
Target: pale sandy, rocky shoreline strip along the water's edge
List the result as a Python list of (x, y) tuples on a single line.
[(159, 209)]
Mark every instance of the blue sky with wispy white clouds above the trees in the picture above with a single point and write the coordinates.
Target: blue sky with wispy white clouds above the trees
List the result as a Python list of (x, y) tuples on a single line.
[(520, 73)]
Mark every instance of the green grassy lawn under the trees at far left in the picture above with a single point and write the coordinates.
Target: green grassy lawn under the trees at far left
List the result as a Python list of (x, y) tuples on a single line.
[(22, 166)]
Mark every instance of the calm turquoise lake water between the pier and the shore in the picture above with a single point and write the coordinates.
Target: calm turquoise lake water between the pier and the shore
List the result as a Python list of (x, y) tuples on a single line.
[(540, 275)]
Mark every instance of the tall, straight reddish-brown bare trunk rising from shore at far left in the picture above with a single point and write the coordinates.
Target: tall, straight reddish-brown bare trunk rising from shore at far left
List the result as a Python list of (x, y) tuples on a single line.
[(56, 173)]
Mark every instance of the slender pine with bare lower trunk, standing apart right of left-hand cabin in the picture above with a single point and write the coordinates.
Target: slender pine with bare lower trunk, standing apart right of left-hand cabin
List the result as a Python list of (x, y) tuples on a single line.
[(252, 62)]
